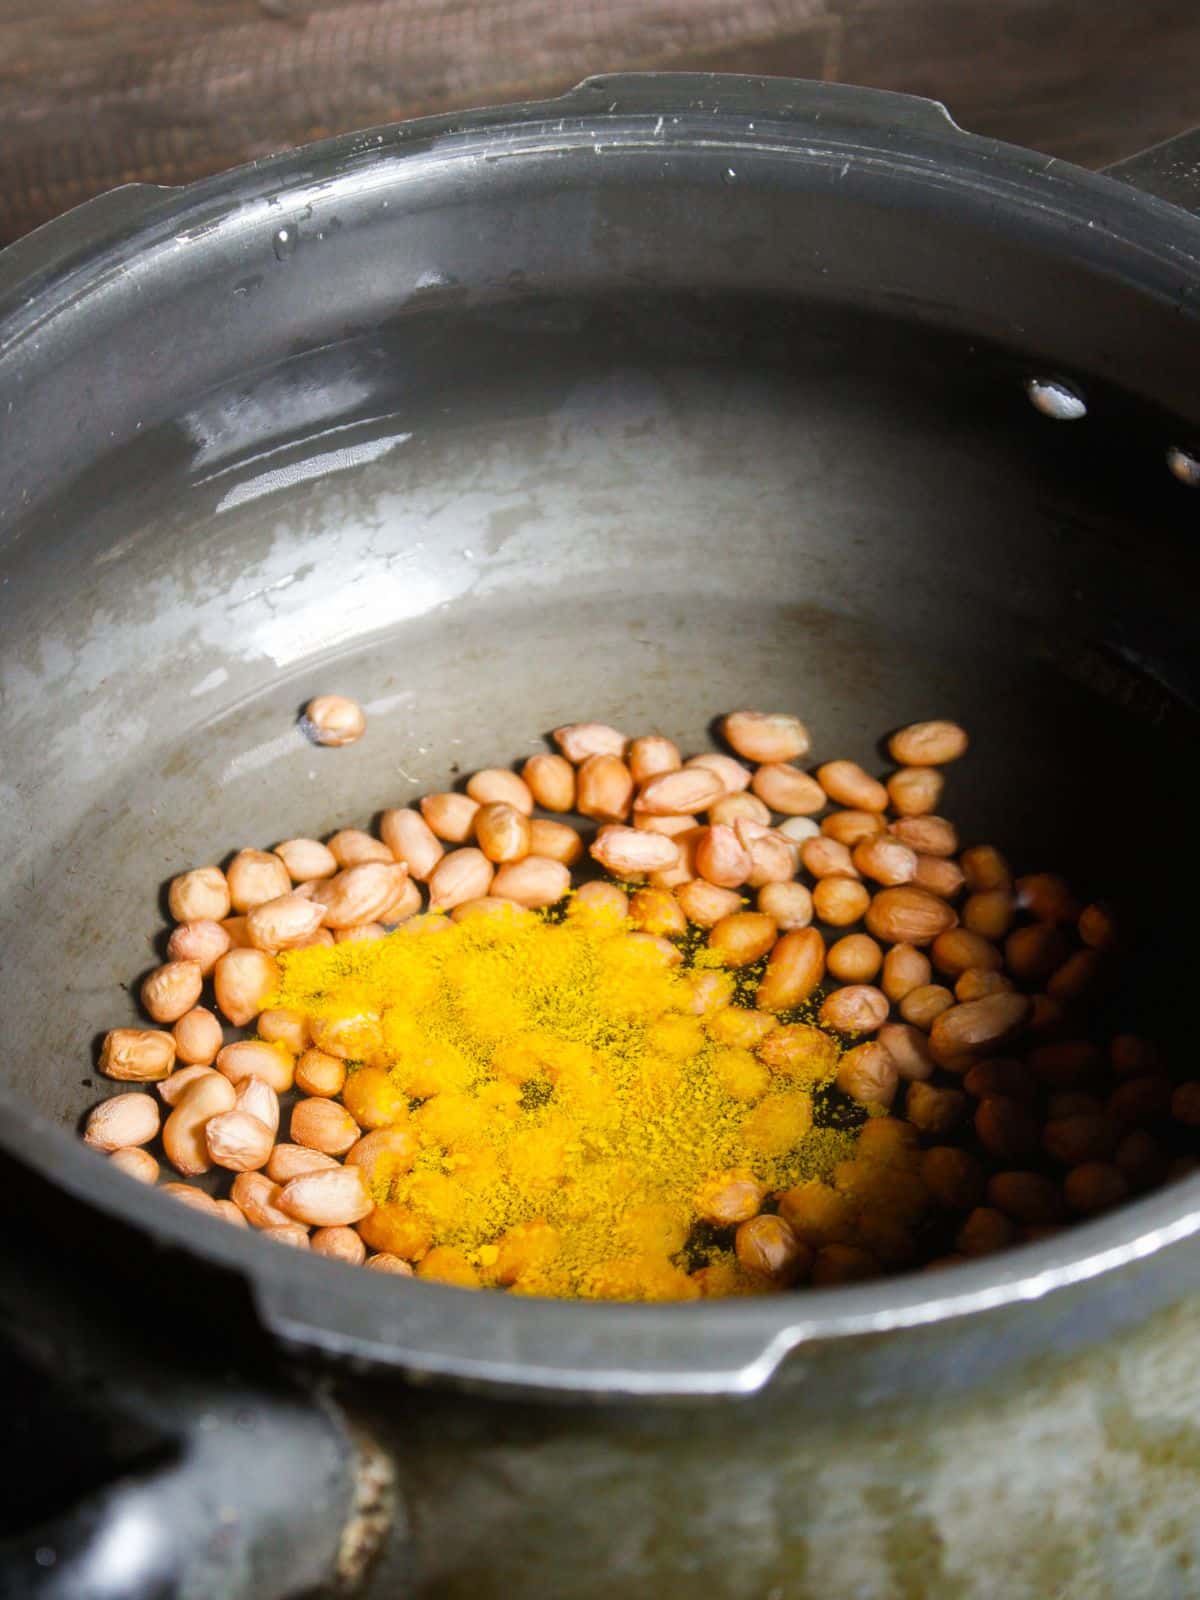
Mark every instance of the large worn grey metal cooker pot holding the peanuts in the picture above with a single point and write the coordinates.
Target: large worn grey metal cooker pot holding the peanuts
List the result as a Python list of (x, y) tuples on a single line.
[(674, 394)]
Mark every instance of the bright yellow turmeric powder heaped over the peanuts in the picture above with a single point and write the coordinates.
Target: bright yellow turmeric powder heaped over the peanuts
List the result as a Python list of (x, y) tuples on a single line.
[(569, 1098)]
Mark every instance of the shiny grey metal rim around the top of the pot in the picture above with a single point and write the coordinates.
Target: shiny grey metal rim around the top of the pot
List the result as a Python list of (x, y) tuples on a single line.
[(561, 1346)]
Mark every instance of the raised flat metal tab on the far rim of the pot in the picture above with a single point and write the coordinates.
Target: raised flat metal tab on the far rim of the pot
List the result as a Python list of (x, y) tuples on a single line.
[(654, 94)]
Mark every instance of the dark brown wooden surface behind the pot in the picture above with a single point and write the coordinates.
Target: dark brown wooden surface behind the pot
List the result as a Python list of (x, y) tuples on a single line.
[(103, 92)]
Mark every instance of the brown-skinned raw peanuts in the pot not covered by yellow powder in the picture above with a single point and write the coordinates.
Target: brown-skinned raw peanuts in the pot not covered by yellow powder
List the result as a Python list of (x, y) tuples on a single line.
[(959, 993)]
